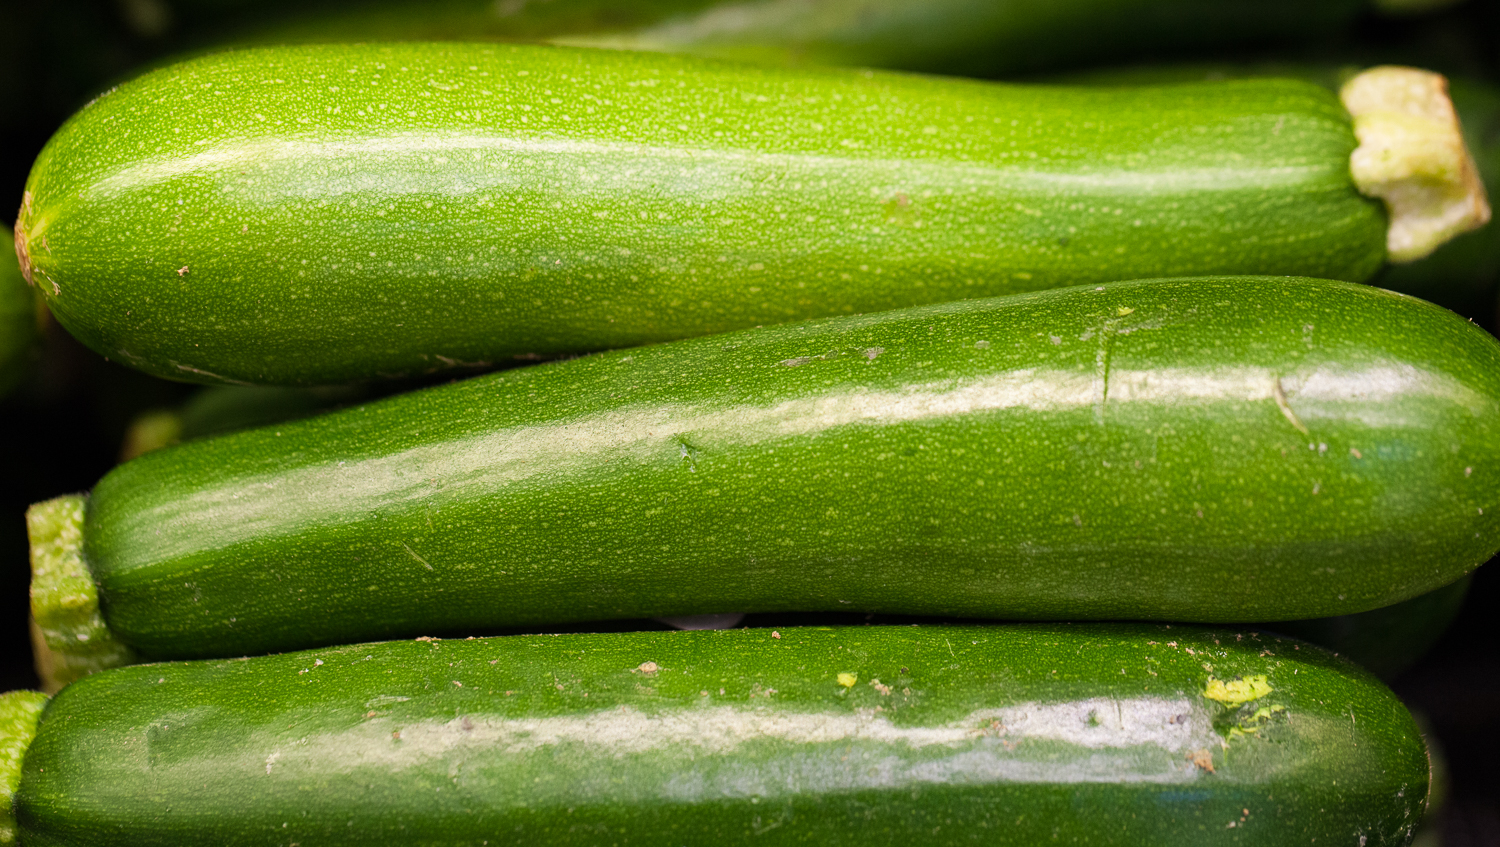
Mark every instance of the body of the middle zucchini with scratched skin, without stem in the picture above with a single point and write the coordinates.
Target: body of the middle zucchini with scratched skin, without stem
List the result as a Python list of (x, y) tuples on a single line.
[(1111, 452)]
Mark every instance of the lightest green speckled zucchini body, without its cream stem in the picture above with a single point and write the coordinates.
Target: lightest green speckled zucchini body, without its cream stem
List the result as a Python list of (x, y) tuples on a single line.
[(332, 214)]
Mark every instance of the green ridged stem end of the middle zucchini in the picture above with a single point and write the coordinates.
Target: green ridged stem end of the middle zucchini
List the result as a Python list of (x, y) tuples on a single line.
[(68, 630)]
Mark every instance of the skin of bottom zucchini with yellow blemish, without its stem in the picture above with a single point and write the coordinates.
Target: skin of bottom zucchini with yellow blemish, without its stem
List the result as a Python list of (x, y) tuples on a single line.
[(937, 737)]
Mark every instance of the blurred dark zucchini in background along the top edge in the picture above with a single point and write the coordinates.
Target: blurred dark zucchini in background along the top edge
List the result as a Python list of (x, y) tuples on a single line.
[(947, 37)]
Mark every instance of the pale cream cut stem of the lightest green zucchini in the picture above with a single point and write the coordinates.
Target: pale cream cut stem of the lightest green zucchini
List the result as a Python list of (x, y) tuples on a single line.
[(1412, 157)]
